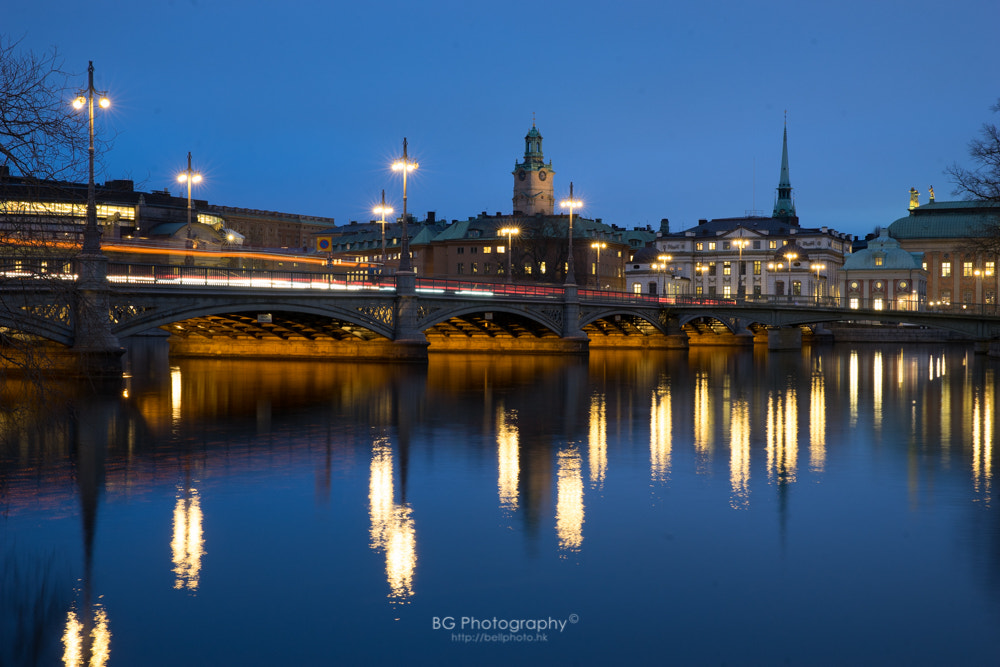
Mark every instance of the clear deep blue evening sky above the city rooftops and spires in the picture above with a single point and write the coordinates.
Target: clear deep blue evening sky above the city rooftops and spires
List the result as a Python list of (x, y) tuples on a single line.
[(652, 109)]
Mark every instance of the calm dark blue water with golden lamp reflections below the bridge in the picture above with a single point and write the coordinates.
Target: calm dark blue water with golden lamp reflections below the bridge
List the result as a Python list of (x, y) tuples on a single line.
[(834, 506)]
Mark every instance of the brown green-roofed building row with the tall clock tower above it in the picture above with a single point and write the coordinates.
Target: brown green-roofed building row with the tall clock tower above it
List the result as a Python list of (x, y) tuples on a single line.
[(484, 247)]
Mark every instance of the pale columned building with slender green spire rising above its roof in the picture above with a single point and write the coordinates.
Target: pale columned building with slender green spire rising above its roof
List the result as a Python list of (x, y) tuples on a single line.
[(749, 256)]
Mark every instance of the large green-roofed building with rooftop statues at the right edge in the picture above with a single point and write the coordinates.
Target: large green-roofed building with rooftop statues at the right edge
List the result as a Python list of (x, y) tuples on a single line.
[(958, 273)]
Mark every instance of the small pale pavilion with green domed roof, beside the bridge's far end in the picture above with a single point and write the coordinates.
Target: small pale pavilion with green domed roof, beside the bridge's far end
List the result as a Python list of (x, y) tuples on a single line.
[(884, 276)]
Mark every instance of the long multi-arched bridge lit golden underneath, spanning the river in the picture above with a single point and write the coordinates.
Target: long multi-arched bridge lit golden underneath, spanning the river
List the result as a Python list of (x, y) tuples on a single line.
[(230, 312)]
